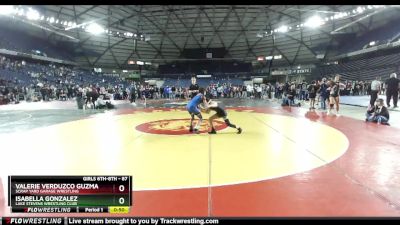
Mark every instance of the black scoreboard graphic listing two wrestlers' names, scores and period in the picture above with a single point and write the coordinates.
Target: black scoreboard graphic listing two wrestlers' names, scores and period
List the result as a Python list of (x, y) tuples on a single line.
[(70, 194)]
